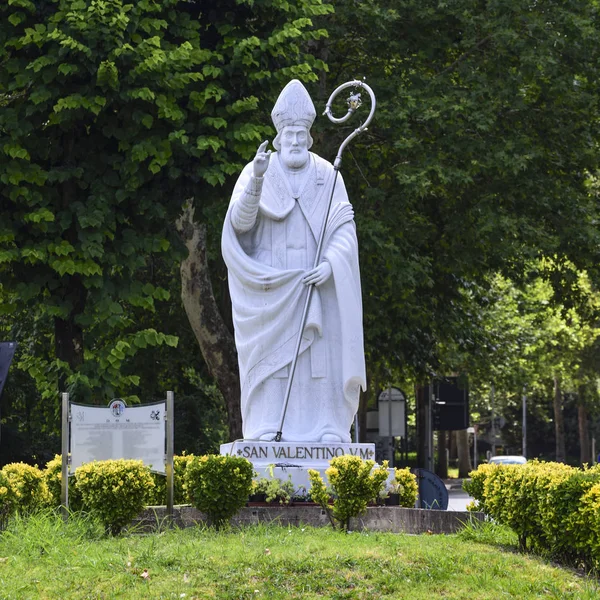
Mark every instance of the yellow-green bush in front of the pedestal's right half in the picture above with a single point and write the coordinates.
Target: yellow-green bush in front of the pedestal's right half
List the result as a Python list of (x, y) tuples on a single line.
[(354, 482)]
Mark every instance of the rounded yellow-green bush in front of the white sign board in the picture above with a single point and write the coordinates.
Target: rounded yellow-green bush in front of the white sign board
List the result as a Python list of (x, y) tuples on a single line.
[(115, 490)]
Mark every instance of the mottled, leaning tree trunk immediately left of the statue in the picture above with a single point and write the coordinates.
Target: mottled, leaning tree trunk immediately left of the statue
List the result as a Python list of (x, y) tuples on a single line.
[(215, 340)]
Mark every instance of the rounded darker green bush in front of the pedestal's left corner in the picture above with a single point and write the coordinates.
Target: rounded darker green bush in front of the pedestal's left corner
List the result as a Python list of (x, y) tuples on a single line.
[(219, 485)]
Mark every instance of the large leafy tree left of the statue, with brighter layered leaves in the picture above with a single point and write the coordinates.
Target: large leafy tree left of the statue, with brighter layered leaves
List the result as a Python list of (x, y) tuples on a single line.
[(115, 114)]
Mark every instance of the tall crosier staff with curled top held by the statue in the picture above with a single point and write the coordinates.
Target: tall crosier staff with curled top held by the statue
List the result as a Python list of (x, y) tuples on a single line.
[(354, 102)]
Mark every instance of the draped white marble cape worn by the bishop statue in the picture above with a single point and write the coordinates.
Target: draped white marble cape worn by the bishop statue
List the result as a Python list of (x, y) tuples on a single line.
[(268, 301)]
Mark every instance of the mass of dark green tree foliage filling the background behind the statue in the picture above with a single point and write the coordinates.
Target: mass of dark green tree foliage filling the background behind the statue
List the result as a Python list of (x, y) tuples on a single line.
[(481, 159)]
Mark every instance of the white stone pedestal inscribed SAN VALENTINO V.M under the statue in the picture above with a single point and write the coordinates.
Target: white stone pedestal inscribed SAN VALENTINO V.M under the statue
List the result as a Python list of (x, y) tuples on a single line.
[(291, 460)]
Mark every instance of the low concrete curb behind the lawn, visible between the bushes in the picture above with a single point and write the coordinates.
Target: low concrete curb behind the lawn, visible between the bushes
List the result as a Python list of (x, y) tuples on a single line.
[(378, 518)]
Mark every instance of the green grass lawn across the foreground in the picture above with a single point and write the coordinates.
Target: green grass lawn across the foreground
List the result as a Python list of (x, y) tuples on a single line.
[(45, 558)]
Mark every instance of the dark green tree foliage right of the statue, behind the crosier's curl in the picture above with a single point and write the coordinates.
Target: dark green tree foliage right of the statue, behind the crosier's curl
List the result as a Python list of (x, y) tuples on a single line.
[(473, 163)]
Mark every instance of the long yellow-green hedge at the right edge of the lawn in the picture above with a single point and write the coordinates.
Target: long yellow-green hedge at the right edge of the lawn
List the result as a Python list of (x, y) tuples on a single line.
[(552, 507)]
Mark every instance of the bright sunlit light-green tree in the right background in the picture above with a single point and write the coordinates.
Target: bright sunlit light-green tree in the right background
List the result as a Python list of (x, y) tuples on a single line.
[(532, 340)]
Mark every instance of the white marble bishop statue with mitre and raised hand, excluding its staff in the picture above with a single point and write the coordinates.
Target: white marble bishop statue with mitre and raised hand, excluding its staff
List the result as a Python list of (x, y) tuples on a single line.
[(269, 245)]
